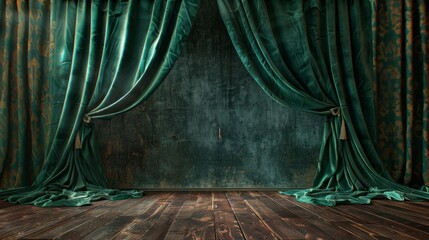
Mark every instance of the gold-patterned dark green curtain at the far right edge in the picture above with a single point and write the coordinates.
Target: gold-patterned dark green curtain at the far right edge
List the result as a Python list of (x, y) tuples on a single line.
[(402, 87)]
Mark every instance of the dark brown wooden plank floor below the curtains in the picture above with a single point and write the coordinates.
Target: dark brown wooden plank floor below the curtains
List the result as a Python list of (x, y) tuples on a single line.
[(216, 215)]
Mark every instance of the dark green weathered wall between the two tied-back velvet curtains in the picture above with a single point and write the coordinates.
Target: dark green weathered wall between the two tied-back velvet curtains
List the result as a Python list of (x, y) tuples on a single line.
[(210, 126)]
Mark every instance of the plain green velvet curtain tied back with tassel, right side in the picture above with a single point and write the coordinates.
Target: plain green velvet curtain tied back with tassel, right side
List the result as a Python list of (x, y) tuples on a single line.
[(316, 56)]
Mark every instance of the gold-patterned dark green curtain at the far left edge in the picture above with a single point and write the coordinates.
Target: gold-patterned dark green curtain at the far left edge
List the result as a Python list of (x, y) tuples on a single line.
[(24, 98)]
